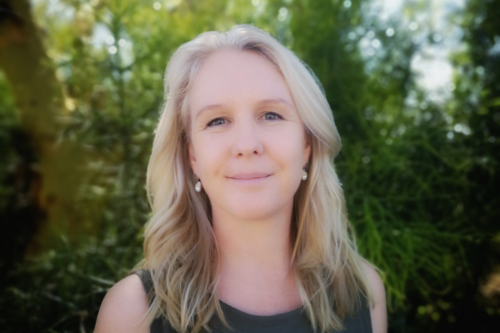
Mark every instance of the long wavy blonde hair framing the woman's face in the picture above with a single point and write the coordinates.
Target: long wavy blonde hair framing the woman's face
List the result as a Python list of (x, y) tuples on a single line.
[(180, 248)]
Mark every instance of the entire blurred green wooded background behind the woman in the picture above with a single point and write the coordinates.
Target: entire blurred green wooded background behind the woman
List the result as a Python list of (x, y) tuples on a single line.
[(415, 90)]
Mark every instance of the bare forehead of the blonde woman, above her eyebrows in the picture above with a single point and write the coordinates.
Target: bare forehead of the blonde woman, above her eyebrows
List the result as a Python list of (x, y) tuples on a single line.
[(237, 76)]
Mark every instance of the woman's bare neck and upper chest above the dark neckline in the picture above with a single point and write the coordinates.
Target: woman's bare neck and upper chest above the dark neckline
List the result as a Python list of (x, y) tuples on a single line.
[(255, 256)]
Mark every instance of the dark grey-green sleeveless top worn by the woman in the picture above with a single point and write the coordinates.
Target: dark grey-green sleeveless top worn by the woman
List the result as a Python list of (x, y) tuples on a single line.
[(295, 321)]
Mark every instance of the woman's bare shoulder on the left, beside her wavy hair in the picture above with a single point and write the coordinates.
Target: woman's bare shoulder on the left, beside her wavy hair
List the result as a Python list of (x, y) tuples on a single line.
[(124, 308)]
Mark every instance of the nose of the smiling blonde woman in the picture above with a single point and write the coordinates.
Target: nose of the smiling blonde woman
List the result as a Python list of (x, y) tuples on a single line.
[(247, 141)]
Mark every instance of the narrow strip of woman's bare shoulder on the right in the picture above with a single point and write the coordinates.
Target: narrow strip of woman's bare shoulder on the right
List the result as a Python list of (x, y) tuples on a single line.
[(378, 310)]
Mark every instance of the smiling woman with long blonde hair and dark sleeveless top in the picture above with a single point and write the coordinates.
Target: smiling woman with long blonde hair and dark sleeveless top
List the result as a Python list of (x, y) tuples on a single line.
[(249, 230)]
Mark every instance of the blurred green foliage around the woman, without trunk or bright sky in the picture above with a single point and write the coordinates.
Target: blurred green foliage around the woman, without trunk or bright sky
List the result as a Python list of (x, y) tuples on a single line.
[(414, 194)]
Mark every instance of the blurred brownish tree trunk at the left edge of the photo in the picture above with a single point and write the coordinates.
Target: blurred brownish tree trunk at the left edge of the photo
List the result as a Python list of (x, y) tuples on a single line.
[(40, 101)]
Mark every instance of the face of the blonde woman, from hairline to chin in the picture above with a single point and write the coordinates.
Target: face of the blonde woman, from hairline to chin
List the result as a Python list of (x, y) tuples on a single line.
[(248, 143)]
